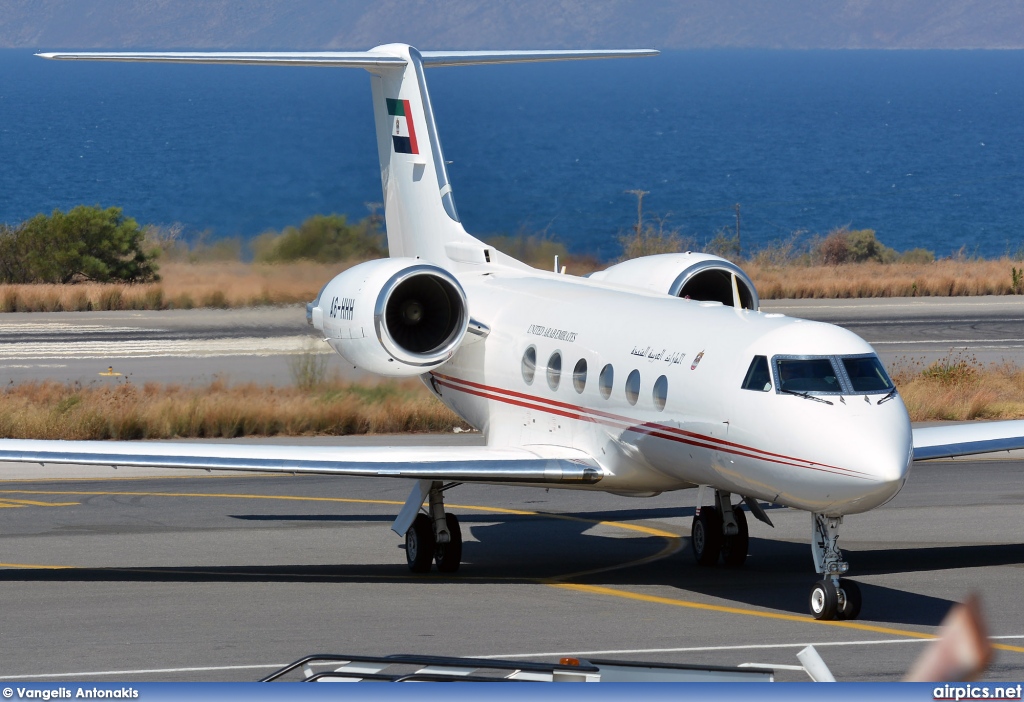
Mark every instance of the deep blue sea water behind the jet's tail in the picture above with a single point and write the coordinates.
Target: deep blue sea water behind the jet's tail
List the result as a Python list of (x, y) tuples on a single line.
[(926, 148)]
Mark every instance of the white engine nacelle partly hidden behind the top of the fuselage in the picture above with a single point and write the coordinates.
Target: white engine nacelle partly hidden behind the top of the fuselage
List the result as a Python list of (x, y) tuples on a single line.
[(698, 277)]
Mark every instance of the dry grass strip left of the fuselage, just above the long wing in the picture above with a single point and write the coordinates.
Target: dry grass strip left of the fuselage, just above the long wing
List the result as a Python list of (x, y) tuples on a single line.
[(124, 411)]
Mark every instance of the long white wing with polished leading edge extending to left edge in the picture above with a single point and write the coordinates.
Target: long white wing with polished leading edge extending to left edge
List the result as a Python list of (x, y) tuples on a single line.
[(459, 464)]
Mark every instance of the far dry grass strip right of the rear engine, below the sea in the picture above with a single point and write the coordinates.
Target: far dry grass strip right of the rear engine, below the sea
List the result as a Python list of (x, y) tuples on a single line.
[(870, 280)]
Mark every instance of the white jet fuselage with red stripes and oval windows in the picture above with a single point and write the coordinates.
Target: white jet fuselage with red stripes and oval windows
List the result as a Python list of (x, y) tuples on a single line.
[(672, 413)]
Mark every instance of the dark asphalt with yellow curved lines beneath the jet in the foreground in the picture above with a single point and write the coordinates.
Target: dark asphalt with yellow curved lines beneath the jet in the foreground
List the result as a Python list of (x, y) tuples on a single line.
[(111, 576)]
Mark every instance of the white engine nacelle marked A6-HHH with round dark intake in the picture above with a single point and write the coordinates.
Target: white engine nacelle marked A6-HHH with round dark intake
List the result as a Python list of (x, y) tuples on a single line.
[(394, 317)]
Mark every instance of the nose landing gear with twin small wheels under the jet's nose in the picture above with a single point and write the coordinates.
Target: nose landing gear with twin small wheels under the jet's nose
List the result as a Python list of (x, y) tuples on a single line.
[(832, 598)]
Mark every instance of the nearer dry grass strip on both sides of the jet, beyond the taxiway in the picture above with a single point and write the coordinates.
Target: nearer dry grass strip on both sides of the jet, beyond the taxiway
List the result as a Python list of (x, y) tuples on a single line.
[(955, 388)]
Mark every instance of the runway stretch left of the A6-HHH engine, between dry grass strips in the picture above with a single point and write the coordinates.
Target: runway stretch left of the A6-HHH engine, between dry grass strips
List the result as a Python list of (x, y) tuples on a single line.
[(192, 347)]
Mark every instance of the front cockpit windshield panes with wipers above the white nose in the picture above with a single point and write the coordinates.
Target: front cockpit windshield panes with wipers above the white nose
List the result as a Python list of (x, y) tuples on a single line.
[(831, 375)]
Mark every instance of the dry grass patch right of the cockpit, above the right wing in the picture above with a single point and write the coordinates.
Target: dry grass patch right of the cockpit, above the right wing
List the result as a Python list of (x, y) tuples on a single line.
[(958, 387)]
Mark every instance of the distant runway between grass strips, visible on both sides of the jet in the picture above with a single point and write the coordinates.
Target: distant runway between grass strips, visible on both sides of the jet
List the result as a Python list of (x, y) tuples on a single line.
[(262, 345)]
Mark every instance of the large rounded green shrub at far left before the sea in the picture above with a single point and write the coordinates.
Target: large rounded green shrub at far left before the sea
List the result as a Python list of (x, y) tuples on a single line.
[(86, 244)]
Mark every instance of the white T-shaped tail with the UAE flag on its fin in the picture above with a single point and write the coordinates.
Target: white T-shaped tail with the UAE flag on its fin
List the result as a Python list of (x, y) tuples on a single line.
[(420, 213)]
